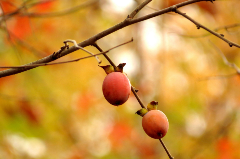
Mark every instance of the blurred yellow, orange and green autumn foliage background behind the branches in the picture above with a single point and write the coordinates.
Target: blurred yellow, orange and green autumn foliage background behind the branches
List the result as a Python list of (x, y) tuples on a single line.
[(59, 111)]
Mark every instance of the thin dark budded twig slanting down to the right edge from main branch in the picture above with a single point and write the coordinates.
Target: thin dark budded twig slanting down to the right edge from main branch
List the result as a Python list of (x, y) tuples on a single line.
[(221, 36)]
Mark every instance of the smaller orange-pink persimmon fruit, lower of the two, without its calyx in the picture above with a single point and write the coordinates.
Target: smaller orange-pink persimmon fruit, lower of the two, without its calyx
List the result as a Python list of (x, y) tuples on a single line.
[(155, 124)]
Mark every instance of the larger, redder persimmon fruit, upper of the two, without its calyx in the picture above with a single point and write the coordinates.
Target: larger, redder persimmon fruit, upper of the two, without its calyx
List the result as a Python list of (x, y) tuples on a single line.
[(116, 88)]
